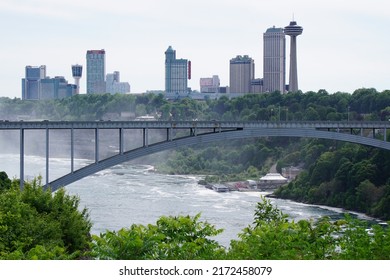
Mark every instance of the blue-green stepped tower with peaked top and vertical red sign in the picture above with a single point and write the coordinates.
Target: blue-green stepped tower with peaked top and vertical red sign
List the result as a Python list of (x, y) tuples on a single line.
[(176, 73)]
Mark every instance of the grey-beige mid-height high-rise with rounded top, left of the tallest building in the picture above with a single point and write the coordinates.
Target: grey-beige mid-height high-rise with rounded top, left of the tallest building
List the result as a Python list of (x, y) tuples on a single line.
[(242, 72)]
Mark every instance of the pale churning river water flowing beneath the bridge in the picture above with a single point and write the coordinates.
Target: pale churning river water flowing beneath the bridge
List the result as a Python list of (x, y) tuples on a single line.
[(134, 194)]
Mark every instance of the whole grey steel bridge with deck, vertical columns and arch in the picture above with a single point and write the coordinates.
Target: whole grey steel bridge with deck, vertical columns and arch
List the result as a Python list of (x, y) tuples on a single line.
[(184, 133)]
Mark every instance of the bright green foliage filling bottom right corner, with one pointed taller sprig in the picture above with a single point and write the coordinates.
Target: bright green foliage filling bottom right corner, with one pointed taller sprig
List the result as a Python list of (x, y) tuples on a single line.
[(273, 236)]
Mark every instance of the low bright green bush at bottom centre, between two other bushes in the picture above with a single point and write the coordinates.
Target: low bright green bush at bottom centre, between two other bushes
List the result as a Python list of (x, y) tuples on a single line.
[(171, 238)]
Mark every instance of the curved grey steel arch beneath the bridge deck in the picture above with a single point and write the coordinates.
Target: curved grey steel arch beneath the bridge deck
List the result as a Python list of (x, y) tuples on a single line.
[(208, 138)]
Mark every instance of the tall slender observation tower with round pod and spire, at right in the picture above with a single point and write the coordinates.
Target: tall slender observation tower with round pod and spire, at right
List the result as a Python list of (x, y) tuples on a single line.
[(293, 30)]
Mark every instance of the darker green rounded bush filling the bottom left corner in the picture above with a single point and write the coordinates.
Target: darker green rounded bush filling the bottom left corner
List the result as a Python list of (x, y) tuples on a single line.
[(36, 224)]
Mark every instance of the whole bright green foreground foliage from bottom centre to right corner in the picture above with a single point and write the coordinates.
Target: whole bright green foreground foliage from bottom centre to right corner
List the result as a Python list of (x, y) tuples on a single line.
[(272, 236)]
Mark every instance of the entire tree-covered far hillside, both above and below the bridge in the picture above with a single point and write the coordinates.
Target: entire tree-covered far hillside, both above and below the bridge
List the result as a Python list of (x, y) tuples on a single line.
[(338, 174)]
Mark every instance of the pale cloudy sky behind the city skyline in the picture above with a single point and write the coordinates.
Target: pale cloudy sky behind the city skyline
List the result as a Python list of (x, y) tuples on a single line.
[(345, 45)]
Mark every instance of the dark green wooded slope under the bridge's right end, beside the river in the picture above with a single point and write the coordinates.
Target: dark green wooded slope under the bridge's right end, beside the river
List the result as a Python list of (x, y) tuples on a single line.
[(349, 176)]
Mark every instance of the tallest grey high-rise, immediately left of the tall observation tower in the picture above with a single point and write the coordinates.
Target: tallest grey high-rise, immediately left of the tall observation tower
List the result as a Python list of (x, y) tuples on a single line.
[(274, 60)]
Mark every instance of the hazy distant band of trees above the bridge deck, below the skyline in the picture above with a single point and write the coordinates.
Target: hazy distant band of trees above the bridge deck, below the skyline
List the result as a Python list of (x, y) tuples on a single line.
[(367, 104)]
